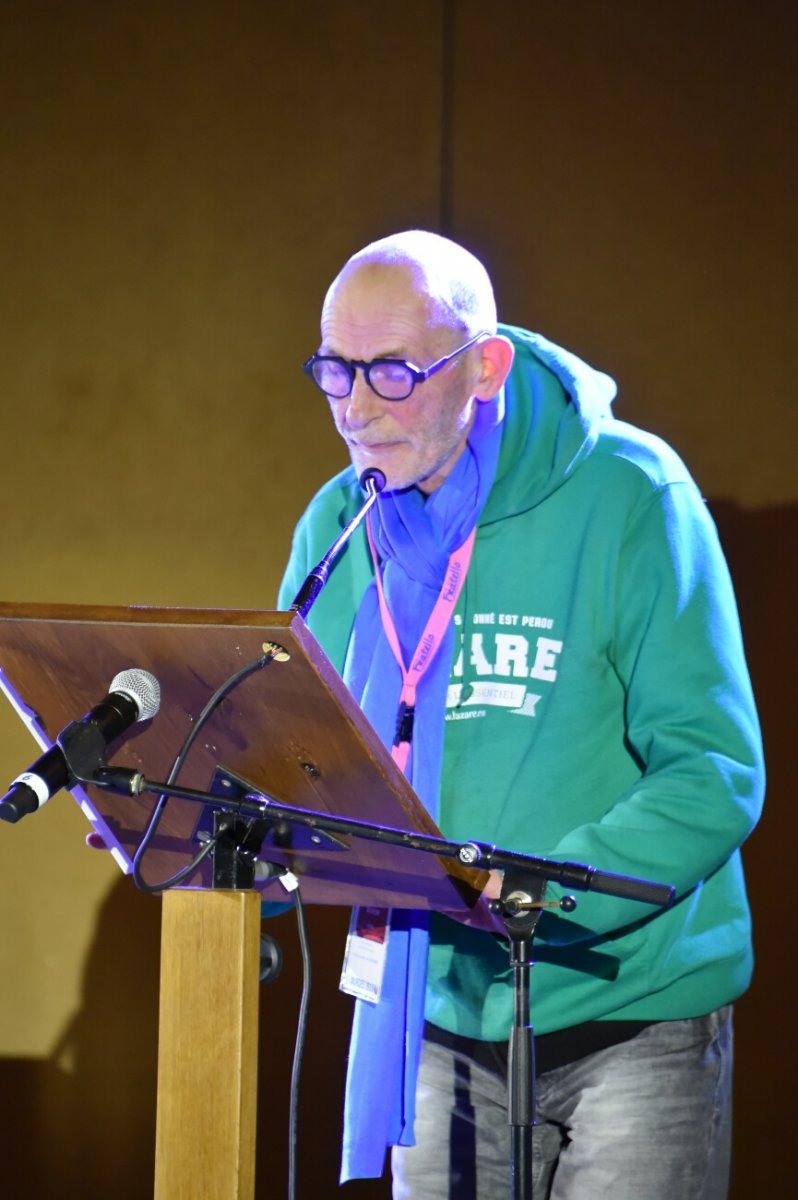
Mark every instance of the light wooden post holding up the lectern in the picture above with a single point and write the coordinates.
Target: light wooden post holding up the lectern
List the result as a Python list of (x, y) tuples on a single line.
[(208, 1051)]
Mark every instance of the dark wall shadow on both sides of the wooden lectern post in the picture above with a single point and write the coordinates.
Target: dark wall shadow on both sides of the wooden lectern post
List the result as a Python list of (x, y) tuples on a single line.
[(82, 1123)]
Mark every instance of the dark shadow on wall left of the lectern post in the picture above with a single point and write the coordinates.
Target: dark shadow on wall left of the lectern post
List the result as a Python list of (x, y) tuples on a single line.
[(82, 1123)]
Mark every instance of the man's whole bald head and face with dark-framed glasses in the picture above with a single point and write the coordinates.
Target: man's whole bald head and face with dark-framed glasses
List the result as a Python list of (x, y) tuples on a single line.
[(421, 302)]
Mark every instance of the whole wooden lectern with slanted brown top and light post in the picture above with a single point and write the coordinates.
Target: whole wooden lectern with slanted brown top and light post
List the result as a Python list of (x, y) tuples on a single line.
[(293, 733)]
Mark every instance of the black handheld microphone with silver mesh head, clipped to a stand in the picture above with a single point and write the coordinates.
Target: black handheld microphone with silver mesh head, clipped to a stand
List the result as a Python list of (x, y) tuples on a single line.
[(134, 697)]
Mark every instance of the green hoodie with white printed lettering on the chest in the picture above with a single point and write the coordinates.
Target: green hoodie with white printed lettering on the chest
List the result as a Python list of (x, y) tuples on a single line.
[(599, 709)]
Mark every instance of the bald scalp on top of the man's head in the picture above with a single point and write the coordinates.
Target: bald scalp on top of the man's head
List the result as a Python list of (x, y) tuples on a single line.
[(443, 277)]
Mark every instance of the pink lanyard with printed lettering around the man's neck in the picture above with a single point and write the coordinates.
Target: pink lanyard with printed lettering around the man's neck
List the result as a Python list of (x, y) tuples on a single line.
[(429, 645)]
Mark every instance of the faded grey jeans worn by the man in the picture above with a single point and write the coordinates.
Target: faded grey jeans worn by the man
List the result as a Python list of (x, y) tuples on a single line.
[(646, 1120)]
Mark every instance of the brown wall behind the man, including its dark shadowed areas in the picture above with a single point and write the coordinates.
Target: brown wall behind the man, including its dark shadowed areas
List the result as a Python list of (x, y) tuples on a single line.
[(178, 185)]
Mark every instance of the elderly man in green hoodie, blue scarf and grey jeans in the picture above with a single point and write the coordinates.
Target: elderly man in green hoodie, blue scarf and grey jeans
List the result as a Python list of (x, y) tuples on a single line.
[(589, 700)]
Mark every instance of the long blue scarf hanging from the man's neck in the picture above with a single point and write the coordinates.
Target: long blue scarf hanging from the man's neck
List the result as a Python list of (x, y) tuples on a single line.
[(415, 537)]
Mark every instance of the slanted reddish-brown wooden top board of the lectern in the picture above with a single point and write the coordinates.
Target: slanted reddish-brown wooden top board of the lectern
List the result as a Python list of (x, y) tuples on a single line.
[(292, 730)]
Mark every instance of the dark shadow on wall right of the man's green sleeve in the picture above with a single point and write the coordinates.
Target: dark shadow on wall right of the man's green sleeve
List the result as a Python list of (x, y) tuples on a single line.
[(761, 551)]
